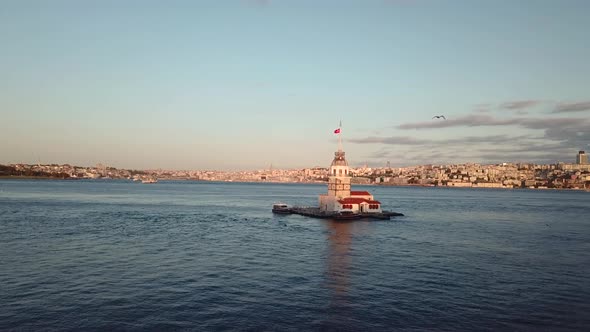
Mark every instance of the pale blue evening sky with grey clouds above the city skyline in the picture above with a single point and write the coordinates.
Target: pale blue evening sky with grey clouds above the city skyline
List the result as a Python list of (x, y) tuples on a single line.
[(243, 85)]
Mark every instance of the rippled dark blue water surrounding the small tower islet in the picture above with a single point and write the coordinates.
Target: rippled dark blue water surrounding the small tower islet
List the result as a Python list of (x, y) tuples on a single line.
[(117, 255)]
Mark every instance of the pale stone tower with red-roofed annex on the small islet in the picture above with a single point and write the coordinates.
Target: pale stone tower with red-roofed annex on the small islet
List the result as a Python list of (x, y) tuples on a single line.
[(339, 197)]
